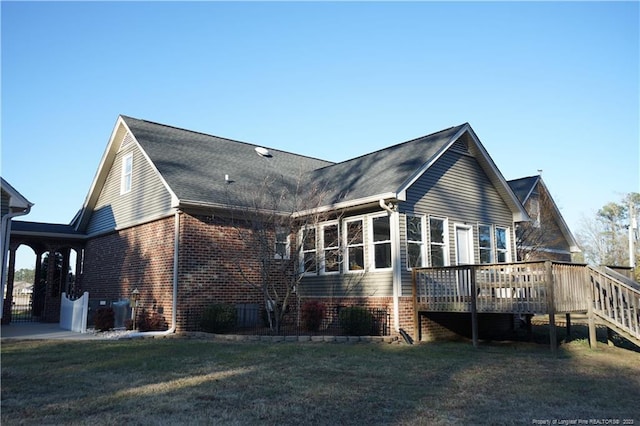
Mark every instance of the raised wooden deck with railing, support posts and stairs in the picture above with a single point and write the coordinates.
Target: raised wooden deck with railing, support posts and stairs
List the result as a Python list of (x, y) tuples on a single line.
[(527, 288)]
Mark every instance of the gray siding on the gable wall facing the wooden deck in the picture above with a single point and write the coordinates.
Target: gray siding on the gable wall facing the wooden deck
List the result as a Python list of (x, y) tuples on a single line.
[(456, 188)]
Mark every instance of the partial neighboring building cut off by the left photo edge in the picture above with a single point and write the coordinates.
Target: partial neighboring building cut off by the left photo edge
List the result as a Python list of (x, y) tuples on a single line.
[(13, 205)]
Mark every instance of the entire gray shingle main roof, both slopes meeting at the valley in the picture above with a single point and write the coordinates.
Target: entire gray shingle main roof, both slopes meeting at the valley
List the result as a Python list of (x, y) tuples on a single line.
[(194, 165)]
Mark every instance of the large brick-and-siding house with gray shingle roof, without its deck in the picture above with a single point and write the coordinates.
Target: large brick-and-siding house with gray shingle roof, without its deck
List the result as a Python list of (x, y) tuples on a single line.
[(189, 220)]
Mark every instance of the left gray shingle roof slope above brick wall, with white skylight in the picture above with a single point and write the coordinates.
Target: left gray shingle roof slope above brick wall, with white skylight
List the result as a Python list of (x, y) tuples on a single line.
[(194, 164)]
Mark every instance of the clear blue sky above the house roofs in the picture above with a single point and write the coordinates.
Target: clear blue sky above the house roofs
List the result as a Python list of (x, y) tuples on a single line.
[(551, 86)]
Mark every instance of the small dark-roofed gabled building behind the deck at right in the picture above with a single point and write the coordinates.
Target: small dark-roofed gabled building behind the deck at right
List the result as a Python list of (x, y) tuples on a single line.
[(546, 236)]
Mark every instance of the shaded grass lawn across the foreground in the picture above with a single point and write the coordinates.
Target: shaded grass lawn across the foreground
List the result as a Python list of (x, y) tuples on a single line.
[(189, 381)]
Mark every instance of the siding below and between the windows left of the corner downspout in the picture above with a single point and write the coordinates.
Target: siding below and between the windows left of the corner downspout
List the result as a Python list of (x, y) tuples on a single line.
[(351, 284)]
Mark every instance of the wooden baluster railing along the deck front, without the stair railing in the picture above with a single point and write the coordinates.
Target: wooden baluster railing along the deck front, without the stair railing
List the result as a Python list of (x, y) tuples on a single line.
[(524, 288)]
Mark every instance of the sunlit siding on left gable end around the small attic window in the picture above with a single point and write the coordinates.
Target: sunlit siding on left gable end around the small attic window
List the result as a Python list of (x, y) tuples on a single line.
[(148, 198)]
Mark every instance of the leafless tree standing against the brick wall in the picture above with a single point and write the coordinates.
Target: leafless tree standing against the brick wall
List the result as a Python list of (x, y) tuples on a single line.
[(276, 221)]
